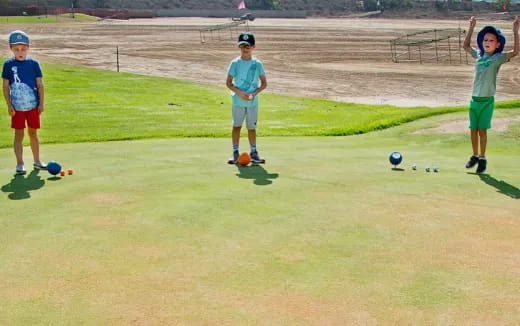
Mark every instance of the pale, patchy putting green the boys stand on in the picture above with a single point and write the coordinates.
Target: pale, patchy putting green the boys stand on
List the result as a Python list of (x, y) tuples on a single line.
[(164, 232)]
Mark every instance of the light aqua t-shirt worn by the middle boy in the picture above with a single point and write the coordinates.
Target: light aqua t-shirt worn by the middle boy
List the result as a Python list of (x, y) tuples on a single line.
[(246, 77)]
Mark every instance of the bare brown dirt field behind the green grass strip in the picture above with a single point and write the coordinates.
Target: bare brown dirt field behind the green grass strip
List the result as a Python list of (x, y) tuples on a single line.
[(339, 59)]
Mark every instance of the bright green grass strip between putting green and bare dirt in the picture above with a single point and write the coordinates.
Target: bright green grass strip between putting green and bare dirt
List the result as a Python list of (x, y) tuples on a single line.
[(85, 105)]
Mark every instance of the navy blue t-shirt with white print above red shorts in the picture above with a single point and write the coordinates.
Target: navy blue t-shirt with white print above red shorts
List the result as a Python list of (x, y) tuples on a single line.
[(22, 82)]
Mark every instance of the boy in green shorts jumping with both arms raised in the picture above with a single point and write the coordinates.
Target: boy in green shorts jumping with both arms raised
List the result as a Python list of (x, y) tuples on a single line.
[(489, 59)]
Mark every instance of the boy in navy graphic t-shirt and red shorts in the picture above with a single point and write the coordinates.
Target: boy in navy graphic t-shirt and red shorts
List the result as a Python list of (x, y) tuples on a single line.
[(24, 95)]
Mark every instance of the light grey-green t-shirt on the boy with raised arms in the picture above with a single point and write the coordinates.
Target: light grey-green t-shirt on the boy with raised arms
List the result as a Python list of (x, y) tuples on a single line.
[(486, 70)]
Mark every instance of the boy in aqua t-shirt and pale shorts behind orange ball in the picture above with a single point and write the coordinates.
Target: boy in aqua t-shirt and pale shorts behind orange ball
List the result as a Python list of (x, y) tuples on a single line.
[(244, 74)]
